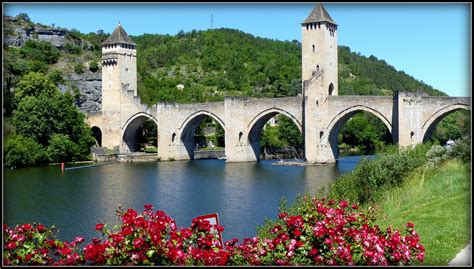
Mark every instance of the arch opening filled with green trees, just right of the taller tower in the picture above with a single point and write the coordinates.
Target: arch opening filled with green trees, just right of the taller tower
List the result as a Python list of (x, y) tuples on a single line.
[(359, 132)]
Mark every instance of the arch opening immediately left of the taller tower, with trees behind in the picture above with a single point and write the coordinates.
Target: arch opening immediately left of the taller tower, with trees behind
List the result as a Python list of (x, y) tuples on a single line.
[(275, 135)]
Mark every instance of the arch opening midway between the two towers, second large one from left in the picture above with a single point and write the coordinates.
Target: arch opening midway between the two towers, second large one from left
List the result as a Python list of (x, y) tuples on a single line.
[(204, 138)]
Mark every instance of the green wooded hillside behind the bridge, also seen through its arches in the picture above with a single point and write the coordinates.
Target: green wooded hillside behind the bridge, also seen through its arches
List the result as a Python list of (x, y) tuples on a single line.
[(209, 65)]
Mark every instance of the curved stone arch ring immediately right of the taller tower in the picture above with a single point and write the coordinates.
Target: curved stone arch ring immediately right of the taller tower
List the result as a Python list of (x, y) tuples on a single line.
[(332, 130)]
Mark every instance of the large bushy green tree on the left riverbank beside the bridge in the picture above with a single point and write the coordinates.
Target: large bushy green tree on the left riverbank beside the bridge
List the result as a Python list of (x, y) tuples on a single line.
[(50, 119)]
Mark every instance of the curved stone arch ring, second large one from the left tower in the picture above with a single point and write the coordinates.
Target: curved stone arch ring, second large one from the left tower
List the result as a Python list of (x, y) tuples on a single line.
[(189, 126)]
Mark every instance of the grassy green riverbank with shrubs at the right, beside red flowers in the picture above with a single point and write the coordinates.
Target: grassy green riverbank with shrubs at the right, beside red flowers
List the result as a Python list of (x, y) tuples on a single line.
[(428, 185)]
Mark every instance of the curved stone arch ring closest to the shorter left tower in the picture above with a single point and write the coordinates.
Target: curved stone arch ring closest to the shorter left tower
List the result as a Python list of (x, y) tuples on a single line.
[(131, 128)]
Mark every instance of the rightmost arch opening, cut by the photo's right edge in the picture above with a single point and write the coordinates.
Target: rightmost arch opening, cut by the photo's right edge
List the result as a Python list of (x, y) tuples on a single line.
[(449, 126)]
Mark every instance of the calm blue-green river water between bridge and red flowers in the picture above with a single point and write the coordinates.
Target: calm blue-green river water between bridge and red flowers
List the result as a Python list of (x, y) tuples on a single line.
[(243, 194)]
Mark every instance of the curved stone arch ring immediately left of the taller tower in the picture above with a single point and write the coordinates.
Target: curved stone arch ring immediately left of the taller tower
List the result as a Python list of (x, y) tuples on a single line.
[(256, 125)]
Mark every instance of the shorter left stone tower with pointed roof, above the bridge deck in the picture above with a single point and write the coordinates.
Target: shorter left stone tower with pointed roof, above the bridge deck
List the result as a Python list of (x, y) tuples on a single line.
[(119, 69)]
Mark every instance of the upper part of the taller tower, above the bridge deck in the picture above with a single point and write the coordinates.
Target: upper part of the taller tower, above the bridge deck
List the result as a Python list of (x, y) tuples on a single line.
[(319, 51)]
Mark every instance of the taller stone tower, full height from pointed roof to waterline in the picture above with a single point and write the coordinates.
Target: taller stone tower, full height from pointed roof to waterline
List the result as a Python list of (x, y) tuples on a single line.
[(319, 74)]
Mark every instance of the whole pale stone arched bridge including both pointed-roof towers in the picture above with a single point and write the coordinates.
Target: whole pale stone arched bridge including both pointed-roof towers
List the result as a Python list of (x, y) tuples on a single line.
[(318, 111)]
